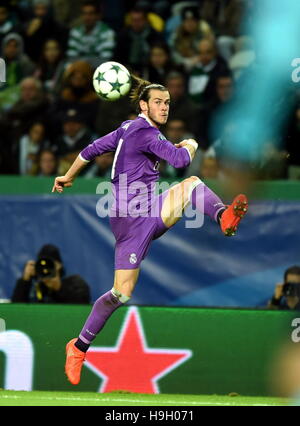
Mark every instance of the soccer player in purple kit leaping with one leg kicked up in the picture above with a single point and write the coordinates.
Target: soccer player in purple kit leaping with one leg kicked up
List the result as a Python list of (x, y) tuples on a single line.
[(139, 146)]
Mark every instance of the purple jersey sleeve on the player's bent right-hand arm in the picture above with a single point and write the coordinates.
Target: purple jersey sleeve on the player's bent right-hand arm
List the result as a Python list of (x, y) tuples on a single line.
[(152, 143)]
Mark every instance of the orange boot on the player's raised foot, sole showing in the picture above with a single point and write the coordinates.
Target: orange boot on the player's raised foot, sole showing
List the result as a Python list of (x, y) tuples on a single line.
[(233, 215)]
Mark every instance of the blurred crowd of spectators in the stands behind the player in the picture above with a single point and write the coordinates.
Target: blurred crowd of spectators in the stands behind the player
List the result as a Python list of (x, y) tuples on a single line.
[(198, 49)]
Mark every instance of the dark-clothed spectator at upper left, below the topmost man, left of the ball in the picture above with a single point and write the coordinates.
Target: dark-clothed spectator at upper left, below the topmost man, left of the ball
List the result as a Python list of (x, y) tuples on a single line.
[(51, 58)]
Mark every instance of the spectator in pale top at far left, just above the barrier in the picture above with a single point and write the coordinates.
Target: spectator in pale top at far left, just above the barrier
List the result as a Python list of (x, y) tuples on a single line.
[(29, 147)]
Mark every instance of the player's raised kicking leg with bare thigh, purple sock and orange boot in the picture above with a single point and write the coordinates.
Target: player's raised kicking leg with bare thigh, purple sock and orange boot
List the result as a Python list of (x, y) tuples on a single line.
[(206, 201)]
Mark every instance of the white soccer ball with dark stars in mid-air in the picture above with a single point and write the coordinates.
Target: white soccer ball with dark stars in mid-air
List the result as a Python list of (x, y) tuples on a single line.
[(111, 81)]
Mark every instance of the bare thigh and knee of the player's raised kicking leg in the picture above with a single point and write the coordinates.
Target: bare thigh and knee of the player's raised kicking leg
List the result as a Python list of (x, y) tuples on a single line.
[(177, 199)]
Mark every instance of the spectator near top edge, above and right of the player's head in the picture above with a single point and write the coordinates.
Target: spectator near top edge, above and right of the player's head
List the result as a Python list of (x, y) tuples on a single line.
[(184, 41)]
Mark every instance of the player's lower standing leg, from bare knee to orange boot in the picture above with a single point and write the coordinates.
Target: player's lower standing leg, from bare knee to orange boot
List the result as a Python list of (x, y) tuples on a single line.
[(124, 283)]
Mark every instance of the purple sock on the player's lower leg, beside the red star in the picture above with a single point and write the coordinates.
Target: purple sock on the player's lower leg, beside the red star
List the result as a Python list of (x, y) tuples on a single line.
[(102, 310)]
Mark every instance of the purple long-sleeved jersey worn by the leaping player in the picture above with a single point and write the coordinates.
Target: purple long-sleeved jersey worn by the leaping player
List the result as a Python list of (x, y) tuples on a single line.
[(138, 148)]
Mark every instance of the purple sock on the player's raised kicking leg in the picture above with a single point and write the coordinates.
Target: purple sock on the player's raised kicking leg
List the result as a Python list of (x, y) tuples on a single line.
[(206, 201)]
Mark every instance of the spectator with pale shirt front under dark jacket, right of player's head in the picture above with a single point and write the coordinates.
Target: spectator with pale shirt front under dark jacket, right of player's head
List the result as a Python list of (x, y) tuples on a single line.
[(202, 81)]
